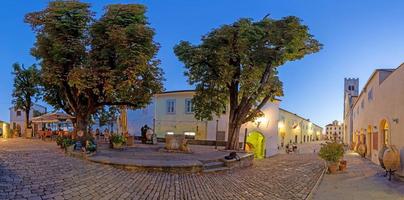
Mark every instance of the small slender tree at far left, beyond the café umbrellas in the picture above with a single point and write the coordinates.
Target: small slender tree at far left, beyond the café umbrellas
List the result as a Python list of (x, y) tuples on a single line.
[(26, 90)]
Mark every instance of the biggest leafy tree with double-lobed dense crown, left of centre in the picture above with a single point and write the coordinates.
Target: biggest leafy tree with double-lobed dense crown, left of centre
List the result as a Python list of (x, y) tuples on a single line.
[(90, 63)]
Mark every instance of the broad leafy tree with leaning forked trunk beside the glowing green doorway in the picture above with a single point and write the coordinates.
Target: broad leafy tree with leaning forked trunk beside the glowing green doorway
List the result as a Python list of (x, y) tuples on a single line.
[(236, 65)]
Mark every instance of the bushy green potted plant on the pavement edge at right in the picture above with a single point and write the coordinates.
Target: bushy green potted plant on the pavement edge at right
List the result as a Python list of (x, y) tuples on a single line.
[(332, 153)]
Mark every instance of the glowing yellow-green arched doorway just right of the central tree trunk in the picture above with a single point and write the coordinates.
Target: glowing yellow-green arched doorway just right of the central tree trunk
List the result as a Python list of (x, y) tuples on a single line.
[(256, 144)]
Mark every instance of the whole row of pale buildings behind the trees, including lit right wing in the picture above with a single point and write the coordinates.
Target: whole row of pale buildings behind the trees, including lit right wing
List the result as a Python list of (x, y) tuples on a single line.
[(171, 112)]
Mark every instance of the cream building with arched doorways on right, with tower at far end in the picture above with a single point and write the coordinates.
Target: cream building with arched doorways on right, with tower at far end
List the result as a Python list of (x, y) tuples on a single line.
[(376, 116)]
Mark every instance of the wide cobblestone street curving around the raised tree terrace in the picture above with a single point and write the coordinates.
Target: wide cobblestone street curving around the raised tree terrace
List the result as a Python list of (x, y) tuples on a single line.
[(33, 169)]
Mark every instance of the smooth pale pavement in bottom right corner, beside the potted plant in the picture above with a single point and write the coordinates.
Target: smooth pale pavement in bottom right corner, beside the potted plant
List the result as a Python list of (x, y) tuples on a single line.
[(362, 180)]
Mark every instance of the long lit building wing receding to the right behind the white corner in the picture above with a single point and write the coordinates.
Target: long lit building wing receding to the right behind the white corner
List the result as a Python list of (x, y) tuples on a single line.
[(294, 129)]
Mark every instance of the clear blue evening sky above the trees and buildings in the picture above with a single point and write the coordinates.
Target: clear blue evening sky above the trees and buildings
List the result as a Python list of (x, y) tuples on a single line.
[(358, 37)]
